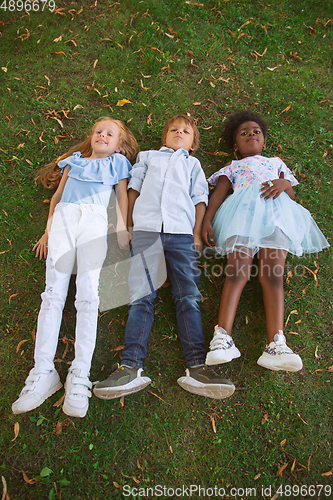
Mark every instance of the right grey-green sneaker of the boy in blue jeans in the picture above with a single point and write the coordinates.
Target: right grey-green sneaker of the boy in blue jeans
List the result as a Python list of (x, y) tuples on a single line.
[(202, 380)]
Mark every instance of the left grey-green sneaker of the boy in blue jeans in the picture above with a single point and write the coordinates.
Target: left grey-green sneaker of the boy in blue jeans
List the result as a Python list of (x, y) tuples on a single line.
[(124, 380)]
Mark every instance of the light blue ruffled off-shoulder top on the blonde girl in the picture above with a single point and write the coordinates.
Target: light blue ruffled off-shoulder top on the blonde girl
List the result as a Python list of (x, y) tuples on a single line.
[(90, 181)]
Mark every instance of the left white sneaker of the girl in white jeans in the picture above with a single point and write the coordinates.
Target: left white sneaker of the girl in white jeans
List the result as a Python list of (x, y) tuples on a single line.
[(38, 387)]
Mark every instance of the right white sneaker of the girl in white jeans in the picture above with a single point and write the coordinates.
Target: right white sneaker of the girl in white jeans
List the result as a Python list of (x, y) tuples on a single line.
[(77, 393)]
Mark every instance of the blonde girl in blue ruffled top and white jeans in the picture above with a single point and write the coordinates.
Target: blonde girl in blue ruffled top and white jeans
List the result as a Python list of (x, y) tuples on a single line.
[(76, 231)]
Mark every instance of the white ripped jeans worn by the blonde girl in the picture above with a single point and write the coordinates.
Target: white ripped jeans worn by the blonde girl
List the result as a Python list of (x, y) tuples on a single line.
[(78, 233)]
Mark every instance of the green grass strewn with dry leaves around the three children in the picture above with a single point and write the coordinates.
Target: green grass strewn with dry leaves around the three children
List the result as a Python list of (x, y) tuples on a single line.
[(219, 57)]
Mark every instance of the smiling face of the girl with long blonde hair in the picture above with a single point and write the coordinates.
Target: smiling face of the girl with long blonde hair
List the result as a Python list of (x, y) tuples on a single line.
[(105, 139)]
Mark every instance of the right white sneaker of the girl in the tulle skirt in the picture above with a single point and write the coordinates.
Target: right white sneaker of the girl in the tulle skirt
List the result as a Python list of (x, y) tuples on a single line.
[(278, 356)]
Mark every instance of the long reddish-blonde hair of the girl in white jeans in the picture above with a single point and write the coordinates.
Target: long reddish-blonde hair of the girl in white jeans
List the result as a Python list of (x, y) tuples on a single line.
[(50, 175)]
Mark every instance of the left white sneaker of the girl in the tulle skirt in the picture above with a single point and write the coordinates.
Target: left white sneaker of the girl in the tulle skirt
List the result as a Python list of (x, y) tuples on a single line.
[(222, 348)]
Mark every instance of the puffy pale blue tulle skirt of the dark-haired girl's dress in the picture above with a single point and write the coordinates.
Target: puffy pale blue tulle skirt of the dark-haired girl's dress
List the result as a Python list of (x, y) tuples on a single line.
[(246, 222)]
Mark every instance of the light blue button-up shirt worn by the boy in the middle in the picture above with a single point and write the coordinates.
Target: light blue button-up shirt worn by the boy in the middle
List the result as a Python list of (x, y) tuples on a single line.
[(170, 184)]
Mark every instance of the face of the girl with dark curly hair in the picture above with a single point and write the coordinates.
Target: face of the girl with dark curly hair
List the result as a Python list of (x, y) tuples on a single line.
[(250, 140)]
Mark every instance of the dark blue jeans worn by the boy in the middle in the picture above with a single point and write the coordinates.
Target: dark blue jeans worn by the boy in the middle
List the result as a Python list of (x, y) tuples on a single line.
[(182, 270)]
